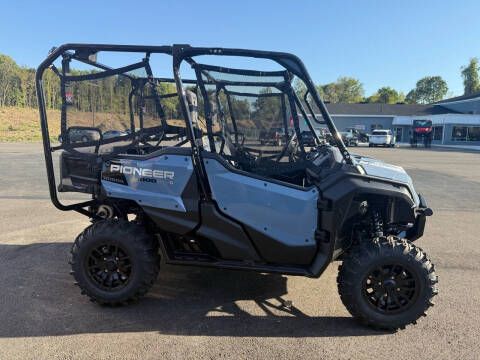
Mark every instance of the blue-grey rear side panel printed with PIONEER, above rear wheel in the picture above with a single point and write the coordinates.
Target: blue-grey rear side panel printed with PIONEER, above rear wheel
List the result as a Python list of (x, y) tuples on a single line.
[(165, 186)]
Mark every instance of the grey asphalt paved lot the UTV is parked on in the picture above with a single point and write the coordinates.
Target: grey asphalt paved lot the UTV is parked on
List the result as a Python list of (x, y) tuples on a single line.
[(201, 313)]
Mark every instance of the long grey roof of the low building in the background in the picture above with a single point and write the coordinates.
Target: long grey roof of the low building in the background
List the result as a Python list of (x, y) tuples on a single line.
[(376, 109)]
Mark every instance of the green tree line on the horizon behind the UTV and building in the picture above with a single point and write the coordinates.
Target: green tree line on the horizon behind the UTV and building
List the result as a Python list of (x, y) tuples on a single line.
[(17, 88)]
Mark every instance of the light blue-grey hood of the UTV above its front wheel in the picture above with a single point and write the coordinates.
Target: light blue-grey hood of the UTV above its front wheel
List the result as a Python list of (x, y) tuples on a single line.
[(381, 169)]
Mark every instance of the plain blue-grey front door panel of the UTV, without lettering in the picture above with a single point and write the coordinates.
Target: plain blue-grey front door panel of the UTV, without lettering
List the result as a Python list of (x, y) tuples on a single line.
[(285, 215)]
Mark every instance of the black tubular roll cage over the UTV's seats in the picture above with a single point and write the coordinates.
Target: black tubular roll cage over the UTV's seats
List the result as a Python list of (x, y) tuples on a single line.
[(280, 81)]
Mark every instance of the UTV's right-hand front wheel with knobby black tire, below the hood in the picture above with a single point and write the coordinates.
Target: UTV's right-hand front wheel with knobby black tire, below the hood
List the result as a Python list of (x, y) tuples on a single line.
[(387, 283)]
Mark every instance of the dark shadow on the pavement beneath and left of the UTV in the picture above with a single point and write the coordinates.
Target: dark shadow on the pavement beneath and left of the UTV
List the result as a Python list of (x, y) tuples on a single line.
[(38, 298)]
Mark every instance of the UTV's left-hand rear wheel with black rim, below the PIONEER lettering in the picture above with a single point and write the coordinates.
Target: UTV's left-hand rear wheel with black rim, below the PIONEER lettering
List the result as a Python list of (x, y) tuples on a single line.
[(115, 262)]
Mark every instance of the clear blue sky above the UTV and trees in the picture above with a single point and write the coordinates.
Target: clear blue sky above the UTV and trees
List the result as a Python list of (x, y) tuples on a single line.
[(382, 43)]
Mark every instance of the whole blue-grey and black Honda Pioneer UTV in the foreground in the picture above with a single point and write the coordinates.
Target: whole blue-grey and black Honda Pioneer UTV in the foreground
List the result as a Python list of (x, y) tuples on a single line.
[(173, 169)]
